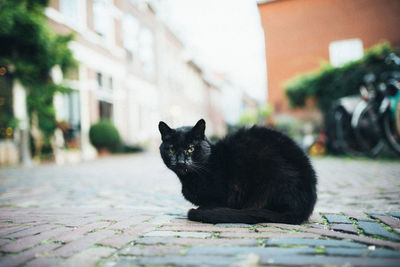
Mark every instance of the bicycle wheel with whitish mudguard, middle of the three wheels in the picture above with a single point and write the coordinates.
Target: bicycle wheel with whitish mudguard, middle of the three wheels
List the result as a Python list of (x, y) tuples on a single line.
[(367, 130)]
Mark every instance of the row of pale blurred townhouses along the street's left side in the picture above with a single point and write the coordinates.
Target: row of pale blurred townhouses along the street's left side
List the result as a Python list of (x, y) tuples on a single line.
[(132, 70)]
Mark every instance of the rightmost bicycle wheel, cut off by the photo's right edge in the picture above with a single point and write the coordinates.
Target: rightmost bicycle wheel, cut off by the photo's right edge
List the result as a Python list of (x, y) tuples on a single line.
[(391, 127)]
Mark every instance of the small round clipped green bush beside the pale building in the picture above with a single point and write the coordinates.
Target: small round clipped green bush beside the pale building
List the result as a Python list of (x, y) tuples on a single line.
[(104, 135)]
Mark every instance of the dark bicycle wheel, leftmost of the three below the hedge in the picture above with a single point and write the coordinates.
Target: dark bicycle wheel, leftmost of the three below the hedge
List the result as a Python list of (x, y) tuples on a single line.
[(346, 141)]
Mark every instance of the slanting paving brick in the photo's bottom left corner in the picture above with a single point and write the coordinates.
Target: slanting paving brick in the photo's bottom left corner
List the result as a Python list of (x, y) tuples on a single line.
[(18, 259)]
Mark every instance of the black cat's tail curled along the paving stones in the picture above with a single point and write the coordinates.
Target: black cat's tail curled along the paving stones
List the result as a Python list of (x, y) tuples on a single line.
[(250, 216)]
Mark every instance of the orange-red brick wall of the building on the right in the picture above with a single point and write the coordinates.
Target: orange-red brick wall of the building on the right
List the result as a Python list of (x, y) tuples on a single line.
[(298, 33)]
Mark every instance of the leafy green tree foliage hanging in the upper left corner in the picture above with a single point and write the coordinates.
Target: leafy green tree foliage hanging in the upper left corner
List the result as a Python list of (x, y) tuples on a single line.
[(30, 49)]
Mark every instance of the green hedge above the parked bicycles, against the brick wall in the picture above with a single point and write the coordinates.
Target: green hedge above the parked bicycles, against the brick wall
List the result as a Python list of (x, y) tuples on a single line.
[(330, 83)]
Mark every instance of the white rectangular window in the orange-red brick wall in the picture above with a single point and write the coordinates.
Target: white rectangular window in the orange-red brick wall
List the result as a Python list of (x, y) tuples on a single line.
[(341, 52)]
